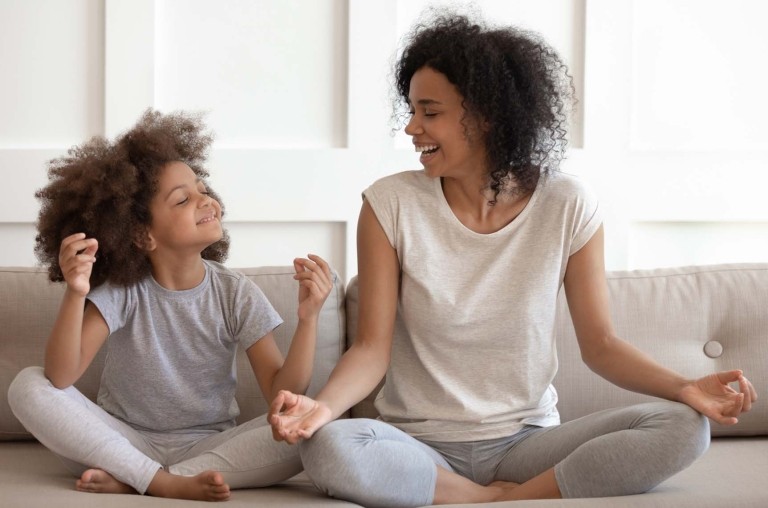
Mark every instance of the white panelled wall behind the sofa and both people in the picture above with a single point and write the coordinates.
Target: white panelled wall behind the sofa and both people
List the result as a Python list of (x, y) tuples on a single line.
[(669, 129)]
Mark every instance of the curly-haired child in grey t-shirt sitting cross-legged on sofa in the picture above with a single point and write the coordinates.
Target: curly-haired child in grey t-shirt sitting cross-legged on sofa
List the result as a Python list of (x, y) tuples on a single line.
[(136, 234)]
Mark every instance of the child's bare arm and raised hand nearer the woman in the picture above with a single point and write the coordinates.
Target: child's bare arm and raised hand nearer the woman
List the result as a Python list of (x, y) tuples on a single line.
[(294, 374)]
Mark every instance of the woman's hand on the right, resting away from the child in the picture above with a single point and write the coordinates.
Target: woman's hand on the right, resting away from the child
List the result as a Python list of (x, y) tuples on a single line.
[(714, 398)]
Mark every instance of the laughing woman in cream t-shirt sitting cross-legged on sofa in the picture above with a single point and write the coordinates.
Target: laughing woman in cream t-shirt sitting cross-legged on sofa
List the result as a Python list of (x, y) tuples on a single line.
[(460, 266)]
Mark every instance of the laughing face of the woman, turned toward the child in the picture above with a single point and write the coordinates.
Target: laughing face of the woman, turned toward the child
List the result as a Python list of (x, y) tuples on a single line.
[(448, 147)]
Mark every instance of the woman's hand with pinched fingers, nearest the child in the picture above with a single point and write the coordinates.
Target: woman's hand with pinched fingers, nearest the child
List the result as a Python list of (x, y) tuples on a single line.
[(295, 417)]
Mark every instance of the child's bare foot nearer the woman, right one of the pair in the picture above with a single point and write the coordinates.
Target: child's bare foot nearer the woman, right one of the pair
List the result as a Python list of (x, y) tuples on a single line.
[(206, 486)]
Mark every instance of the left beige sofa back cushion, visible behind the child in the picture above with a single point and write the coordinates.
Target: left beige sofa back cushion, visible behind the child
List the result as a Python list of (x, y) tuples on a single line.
[(29, 303)]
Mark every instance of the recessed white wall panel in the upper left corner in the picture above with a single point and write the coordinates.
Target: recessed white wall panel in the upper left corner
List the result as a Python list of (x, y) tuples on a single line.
[(51, 91)]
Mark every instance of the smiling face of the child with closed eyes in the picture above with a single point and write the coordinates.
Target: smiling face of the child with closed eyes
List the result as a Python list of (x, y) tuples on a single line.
[(184, 216)]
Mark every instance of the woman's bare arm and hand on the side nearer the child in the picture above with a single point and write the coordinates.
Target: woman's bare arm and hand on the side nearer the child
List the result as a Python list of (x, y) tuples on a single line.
[(360, 369)]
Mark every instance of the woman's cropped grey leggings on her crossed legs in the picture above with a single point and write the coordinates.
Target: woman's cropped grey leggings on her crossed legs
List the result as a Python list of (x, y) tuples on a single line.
[(610, 453)]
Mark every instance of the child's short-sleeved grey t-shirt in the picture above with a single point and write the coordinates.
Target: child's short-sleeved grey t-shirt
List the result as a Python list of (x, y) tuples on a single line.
[(170, 363)]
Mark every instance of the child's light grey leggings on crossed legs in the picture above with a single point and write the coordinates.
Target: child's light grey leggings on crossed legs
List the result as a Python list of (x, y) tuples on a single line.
[(86, 436)]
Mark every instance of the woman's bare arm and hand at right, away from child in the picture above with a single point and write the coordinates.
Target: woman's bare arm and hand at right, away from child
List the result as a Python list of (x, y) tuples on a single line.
[(624, 365)]
